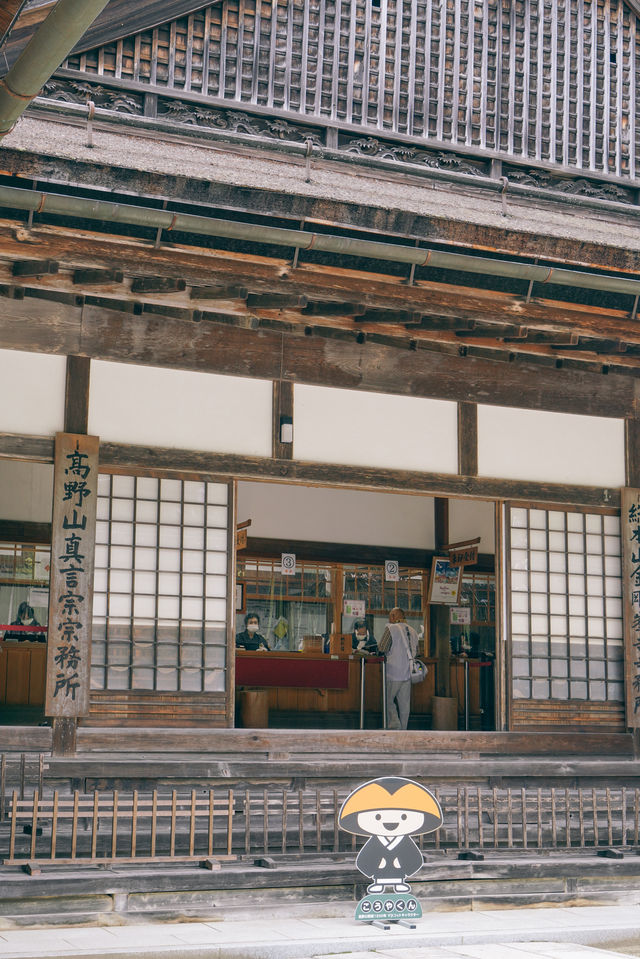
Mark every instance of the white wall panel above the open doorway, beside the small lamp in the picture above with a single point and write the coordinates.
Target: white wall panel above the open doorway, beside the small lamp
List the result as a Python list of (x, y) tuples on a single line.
[(357, 428)]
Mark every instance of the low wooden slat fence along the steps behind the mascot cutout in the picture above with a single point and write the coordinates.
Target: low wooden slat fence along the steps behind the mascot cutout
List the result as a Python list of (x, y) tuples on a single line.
[(219, 823)]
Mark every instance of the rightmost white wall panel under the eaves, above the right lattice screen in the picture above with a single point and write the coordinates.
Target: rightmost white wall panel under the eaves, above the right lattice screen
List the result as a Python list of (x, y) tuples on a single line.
[(550, 447)]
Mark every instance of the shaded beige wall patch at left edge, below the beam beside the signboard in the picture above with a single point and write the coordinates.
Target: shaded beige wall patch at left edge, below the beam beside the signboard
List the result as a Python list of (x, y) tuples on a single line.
[(26, 491)]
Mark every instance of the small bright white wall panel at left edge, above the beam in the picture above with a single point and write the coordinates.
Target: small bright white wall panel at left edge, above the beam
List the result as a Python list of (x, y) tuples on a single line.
[(33, 387)]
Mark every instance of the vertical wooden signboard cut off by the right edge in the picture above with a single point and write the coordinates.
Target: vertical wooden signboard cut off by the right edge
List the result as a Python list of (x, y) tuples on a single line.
[(630, 531)]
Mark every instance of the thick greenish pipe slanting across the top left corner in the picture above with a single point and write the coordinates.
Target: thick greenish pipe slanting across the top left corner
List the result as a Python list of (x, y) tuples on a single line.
[(53, 41)]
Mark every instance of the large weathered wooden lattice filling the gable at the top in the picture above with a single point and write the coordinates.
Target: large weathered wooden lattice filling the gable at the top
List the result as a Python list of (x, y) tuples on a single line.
[(543, 80)]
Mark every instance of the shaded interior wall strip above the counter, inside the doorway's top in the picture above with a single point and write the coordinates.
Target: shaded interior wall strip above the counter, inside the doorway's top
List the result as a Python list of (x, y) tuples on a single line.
[(279, 511)]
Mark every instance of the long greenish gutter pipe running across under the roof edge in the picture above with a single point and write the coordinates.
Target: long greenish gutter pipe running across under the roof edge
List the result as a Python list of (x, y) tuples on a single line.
[(104, 210)]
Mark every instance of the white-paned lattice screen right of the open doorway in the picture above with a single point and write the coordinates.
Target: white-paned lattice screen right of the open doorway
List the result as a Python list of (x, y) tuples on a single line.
[(566, 606)]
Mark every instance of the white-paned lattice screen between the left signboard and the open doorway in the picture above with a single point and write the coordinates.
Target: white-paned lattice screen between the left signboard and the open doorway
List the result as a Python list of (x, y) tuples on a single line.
[(160, 585)]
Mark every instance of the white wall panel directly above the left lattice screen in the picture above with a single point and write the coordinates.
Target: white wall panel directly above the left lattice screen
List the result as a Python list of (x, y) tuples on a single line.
[(180, 409)]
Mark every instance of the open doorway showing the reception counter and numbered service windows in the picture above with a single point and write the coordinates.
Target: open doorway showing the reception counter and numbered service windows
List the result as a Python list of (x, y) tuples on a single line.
[(355, 555)]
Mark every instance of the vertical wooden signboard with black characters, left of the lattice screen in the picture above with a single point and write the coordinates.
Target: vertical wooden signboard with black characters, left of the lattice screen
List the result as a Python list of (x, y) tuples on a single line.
[(75, 484)]
